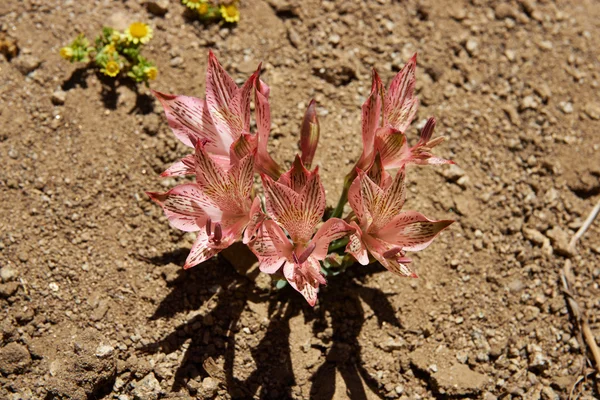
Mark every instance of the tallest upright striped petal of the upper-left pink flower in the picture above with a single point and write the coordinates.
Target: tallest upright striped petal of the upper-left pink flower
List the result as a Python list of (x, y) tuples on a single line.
[(220, 92)]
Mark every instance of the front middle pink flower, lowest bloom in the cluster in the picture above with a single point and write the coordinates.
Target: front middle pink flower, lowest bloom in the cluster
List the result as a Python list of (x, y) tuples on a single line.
[(296, 203)]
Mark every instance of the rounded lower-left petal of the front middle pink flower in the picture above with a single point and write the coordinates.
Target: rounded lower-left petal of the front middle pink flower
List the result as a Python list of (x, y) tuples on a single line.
[(272, 247)]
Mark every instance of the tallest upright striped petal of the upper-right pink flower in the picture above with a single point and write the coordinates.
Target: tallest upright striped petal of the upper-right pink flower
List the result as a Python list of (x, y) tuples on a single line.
[(400, 103)]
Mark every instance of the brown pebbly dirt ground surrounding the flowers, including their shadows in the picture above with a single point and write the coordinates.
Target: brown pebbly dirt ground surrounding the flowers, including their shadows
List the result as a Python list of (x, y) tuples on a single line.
[(94, 301)]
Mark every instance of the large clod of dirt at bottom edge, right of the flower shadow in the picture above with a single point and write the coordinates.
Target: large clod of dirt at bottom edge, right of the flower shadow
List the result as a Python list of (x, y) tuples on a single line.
[(458, 380)]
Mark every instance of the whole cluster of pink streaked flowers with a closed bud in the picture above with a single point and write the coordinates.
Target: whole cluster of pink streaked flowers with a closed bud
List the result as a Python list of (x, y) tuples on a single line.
[(286, 231)]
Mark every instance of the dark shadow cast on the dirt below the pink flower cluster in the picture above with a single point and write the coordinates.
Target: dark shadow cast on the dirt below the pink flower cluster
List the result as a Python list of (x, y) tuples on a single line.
[(215, 296)]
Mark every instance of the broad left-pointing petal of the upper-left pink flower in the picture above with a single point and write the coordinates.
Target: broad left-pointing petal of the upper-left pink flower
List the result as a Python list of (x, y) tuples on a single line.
[(190, 120)]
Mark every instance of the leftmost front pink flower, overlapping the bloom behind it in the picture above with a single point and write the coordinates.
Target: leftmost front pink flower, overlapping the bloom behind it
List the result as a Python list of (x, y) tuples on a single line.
[(218, 206)]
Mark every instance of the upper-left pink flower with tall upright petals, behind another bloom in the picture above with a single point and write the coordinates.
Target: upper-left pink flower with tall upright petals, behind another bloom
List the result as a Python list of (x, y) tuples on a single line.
[(222, 121)]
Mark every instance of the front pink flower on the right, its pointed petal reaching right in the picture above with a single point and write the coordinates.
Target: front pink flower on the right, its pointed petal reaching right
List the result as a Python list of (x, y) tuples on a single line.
[(382, 229)]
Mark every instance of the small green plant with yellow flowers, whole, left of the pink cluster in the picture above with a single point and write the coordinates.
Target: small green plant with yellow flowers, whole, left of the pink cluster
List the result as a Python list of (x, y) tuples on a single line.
[(115, 52)]
